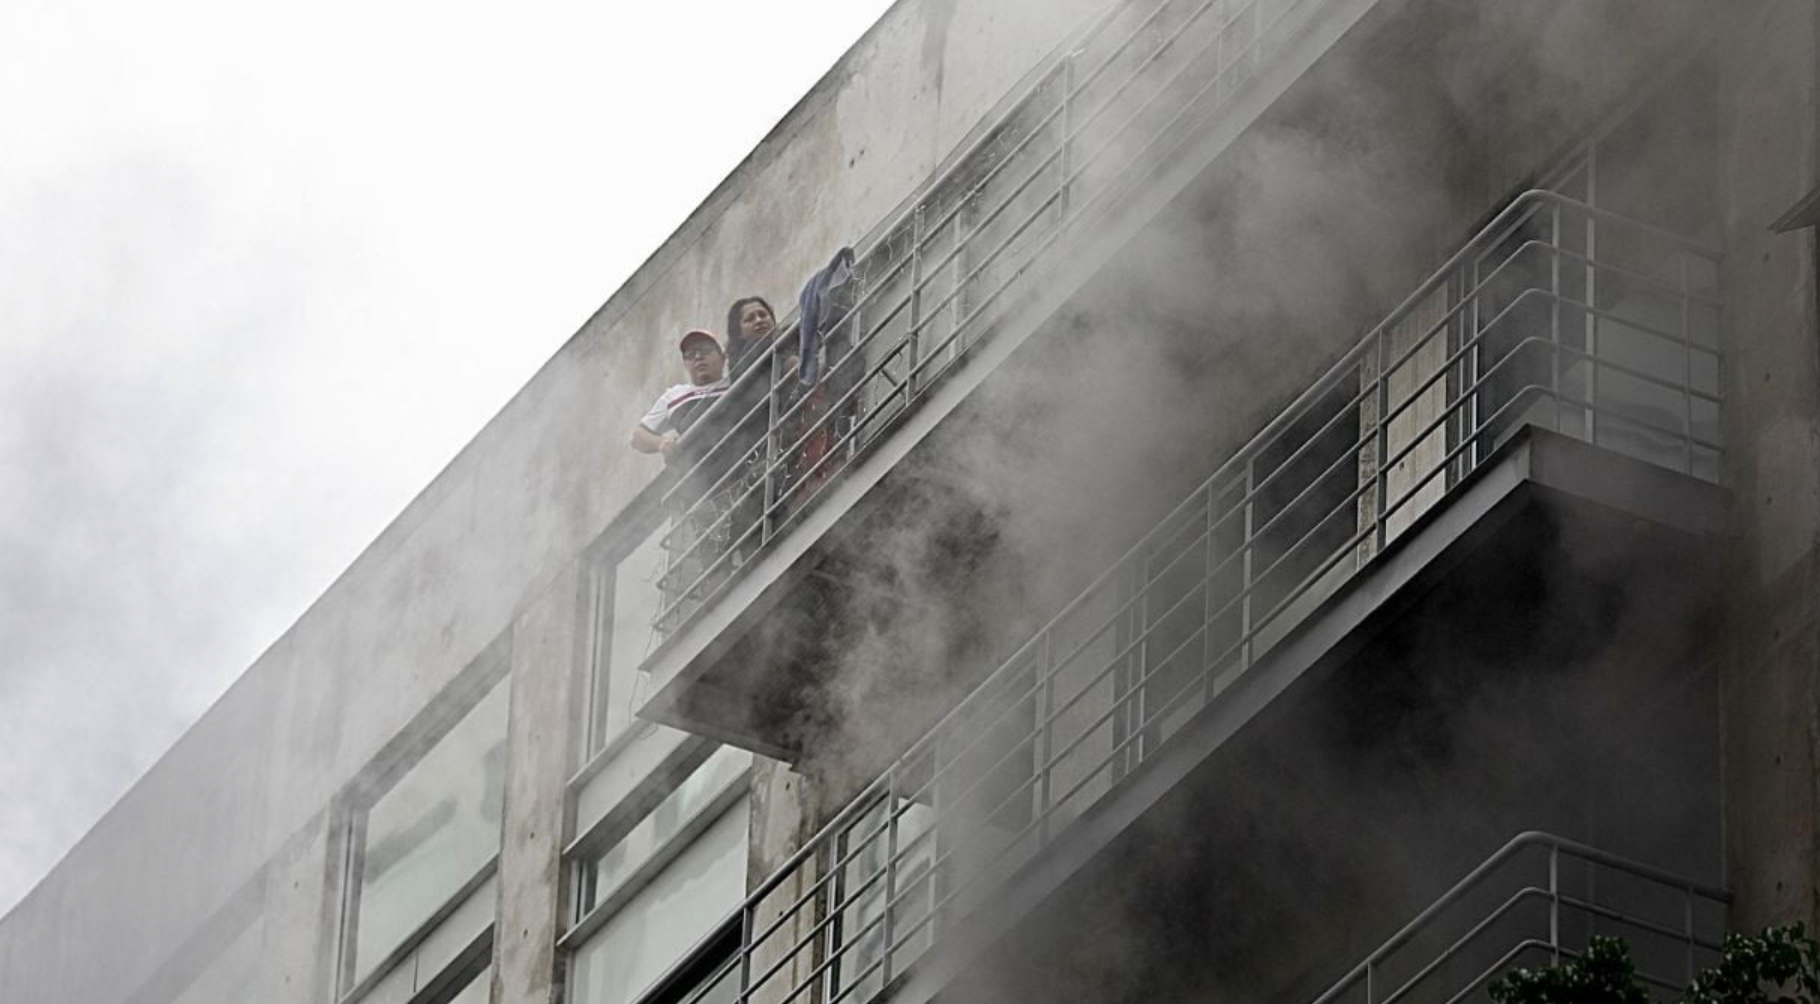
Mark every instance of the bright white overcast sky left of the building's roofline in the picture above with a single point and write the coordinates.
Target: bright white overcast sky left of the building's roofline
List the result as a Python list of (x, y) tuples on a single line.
[(265, 268)]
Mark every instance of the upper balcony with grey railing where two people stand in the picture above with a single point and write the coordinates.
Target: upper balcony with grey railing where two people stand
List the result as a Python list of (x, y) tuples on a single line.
[(1097, 143)]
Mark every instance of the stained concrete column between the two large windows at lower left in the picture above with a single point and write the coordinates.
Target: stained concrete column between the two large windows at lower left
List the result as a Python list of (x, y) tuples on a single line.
[(541, 736)]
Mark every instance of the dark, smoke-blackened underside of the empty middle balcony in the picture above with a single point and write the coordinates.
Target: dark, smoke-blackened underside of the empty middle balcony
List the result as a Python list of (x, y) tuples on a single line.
[(1530, 656)]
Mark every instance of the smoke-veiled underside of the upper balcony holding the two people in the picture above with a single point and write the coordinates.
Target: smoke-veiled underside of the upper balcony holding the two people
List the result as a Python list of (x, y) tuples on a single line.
[(760, 663)]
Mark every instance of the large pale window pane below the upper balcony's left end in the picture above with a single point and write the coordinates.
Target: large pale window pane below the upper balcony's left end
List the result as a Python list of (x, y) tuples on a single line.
[(669, 918)]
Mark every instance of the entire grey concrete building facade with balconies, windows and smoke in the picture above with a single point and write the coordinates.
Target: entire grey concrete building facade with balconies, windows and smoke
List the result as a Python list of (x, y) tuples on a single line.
[(1297, 499)]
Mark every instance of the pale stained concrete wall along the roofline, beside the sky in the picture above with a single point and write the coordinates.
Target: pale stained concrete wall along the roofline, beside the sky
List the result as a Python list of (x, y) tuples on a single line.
[(241, 805)]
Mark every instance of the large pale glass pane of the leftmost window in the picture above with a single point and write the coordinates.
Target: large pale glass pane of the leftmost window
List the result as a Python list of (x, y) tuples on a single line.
[(432, 832)]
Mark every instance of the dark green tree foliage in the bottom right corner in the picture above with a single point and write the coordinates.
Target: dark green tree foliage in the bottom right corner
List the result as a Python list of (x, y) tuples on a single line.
[(1777, 967)]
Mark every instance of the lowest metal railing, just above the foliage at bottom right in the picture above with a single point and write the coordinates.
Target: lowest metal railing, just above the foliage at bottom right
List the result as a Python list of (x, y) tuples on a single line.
[(1539, 901)]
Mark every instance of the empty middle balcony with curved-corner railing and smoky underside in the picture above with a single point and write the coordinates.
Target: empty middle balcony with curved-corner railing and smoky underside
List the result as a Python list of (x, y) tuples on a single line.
[(1537, 423)]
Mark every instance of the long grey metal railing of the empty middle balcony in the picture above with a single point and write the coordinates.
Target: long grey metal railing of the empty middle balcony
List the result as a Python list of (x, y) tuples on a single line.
[(1557, 314)]
